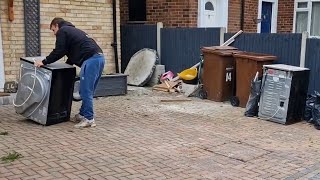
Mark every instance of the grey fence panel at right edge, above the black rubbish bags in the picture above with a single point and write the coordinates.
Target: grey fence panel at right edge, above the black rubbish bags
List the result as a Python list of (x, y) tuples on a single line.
[(313, 63)]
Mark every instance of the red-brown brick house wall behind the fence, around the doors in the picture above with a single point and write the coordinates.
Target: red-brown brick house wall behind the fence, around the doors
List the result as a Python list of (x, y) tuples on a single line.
[(182, 13)]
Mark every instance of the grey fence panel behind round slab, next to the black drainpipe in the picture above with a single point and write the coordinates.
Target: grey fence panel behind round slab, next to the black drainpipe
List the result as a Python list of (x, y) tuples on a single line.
[(134, 38)]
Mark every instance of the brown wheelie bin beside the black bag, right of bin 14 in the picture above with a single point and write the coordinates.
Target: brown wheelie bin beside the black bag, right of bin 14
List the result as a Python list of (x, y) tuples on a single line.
[(247, 65)]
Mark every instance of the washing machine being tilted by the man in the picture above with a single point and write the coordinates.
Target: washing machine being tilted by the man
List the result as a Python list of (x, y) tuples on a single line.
[(45, 94)]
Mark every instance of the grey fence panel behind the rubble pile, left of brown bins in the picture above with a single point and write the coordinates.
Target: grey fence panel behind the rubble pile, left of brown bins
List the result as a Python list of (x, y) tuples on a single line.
[(180, 47)]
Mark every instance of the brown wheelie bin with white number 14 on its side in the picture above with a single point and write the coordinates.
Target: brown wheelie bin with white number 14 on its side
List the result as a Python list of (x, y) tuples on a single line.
[(218, 72)]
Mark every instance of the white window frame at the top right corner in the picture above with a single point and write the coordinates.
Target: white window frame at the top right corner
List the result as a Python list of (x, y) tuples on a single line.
[(308, 9)]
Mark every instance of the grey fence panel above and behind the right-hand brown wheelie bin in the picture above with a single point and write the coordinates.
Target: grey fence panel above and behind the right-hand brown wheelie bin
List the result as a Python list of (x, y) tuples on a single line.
[(286, 46)]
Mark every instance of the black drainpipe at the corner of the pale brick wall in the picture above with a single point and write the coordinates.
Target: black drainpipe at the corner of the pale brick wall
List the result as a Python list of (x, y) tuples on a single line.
[(114, 44)]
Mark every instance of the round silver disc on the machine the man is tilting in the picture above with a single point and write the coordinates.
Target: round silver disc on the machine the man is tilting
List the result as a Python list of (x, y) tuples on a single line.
[(31, 93)]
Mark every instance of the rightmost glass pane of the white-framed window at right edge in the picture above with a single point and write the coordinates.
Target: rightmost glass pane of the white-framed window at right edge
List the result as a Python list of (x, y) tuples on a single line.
[(315, 23)]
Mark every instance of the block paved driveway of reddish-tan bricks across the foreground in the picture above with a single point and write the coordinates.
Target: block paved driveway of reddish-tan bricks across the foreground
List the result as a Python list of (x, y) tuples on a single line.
[(139, 137)]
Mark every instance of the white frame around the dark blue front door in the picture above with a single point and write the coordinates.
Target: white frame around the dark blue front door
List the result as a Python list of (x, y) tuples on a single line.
[(274, 17)]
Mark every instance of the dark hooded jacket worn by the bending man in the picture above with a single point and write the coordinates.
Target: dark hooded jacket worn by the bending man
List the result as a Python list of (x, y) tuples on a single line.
[(74, 43)]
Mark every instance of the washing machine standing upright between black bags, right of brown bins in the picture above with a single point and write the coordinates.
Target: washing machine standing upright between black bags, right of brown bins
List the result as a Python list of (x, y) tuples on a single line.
[(284, 93)]
